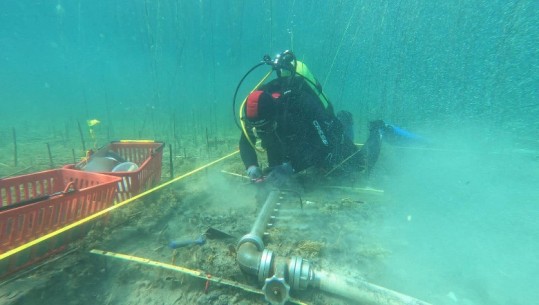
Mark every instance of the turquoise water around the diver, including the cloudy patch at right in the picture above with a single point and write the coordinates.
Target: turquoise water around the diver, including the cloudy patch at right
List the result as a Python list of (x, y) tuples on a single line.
[(462, 222)]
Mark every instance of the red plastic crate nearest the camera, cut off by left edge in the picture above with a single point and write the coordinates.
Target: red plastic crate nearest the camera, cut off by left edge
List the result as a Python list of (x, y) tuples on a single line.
[(36, 204)]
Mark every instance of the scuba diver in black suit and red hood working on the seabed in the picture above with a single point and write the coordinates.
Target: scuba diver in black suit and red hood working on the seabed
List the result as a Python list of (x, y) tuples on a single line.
[(298, 128)]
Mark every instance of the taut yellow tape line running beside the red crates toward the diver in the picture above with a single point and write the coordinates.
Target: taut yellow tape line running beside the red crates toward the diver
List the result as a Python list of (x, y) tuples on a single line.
[(107, 210)]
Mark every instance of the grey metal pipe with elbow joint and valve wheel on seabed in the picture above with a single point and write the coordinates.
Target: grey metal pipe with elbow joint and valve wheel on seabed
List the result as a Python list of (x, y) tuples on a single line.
[(280, 274)]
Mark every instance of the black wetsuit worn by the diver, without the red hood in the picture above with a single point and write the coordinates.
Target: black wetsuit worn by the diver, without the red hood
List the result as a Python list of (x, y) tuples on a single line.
[(307, 134)]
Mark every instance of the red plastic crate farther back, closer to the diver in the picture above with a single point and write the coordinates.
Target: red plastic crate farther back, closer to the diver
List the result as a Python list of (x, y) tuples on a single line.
[(148, 155)]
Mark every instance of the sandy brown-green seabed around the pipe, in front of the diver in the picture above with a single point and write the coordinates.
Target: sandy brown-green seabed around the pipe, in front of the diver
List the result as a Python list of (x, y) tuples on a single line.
[(320, 220)]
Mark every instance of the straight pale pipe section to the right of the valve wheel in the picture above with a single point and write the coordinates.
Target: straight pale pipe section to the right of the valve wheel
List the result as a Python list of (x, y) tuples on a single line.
[(363, 292)]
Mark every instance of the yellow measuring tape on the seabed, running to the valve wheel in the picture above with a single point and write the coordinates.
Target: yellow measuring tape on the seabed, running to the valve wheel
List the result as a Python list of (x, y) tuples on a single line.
[(196, 273)]
